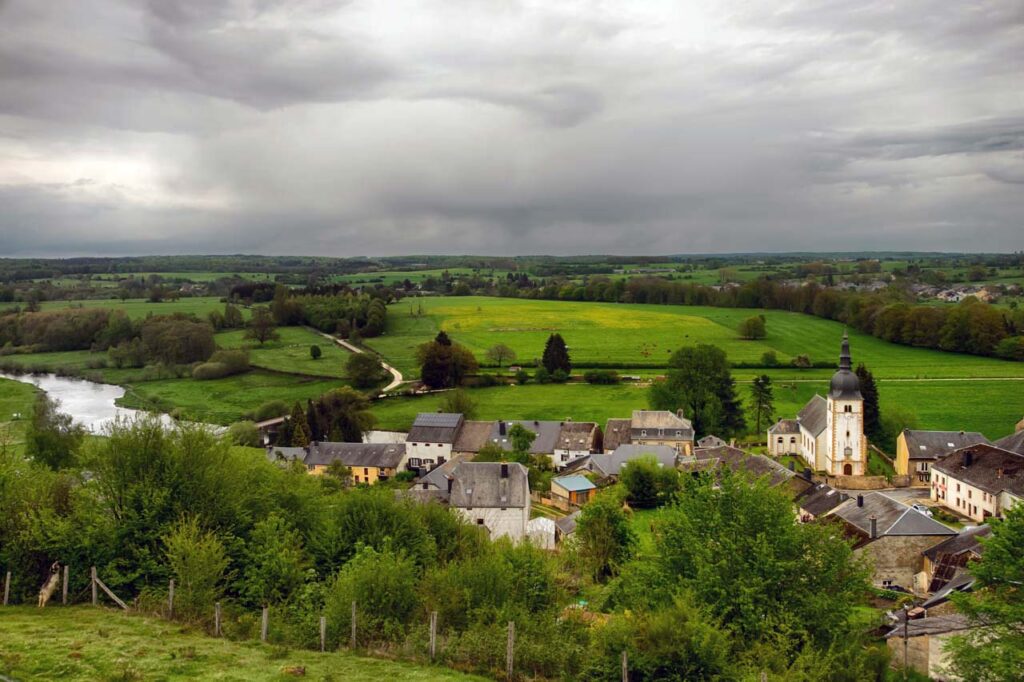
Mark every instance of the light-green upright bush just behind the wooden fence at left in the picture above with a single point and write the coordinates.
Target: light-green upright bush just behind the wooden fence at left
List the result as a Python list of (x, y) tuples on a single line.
[(199, 563)]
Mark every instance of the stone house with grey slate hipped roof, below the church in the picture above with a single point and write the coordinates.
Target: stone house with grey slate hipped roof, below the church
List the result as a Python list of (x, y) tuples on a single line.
[(892, 535)]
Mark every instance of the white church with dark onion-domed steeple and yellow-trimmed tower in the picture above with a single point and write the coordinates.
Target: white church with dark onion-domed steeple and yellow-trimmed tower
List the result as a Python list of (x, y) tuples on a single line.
[(829, 433)]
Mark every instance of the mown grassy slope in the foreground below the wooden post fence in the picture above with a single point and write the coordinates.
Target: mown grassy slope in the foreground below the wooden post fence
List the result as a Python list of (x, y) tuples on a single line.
[(88, 644)]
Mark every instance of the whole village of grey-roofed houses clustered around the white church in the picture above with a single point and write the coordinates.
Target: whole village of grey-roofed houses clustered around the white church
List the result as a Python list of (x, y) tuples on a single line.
[(966, 480)]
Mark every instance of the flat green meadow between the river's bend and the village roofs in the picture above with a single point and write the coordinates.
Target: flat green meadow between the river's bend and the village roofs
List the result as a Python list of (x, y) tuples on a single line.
[(224, 401)]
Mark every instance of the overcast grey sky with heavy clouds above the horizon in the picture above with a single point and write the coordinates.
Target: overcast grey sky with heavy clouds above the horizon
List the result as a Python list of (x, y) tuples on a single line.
[(340, 129)]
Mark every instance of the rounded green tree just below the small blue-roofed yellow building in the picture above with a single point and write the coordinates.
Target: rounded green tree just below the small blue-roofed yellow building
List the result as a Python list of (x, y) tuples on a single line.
[(605, 537)]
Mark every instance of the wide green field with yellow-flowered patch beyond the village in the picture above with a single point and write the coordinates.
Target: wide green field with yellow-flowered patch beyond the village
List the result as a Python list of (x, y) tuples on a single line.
[(649, 334)]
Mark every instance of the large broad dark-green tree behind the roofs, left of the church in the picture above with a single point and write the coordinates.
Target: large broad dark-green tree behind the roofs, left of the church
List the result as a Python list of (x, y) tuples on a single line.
[(701, 385)]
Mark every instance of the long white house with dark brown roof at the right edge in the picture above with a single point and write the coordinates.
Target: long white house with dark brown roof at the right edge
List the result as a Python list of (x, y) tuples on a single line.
[(979, 482)]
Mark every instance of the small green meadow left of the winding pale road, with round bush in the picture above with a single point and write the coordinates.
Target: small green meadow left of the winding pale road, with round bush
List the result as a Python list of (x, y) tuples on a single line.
[(291, 353)]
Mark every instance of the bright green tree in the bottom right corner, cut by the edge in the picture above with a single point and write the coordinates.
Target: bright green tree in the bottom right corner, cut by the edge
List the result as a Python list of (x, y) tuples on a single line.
[(995, 653)]
